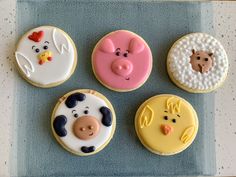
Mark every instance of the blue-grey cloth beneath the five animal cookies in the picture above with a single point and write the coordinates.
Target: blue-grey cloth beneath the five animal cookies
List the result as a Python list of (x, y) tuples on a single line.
[(160, 24)]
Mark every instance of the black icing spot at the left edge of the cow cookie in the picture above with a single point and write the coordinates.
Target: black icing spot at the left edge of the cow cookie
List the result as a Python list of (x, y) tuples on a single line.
[(59, 125)]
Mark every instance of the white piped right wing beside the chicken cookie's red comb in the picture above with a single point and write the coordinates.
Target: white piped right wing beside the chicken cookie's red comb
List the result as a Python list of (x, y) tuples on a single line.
[(60, 41)]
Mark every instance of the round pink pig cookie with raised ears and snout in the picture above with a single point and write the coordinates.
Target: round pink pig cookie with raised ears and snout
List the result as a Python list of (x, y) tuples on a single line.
[(122, 61)]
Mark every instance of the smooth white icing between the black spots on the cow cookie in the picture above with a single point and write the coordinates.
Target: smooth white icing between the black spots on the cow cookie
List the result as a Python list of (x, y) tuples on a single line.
[(70, 140)]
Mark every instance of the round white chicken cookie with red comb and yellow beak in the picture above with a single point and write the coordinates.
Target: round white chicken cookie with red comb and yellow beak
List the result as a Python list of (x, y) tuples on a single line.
[(46, 56)]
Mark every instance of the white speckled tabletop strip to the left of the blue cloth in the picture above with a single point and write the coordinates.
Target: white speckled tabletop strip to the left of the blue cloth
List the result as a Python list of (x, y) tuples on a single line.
[(7, 43)]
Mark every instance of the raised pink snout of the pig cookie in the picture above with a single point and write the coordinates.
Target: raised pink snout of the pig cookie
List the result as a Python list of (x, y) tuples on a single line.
[(122, 67)]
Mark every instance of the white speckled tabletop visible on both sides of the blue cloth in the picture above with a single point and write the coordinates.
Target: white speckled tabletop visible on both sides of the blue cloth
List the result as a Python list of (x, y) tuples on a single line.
[(225, 105)]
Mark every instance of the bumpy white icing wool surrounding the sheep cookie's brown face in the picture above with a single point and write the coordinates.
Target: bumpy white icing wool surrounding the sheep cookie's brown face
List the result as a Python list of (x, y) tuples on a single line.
[(181, 69)]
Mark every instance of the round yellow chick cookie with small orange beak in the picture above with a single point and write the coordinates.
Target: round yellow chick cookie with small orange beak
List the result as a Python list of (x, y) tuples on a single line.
[(166, 124)]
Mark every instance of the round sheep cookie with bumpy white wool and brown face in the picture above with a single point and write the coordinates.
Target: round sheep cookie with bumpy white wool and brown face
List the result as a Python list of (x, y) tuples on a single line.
[(197, 63)]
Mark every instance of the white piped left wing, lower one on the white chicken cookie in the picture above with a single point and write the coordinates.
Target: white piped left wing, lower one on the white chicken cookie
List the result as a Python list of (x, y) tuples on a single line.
[(24, 63)]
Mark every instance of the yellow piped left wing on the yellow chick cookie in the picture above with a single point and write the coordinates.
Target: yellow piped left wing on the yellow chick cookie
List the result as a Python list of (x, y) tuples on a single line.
[(146, 117)]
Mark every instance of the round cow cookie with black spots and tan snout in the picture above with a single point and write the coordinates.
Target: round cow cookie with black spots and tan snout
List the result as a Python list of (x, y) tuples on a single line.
[(83, 122)]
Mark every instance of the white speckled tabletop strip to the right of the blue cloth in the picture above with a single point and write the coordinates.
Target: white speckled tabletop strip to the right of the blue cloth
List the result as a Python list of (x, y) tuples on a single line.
[(225, 104)]
